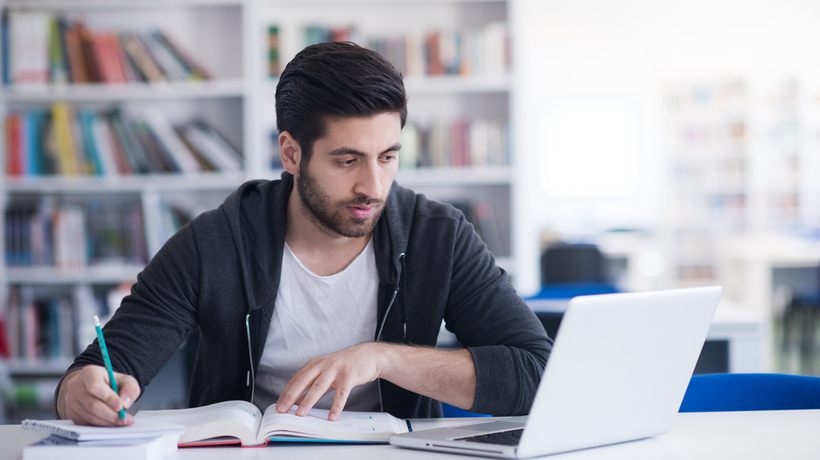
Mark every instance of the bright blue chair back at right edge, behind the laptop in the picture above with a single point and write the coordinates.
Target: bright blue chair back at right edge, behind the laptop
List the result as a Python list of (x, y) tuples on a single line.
[(743, 392)]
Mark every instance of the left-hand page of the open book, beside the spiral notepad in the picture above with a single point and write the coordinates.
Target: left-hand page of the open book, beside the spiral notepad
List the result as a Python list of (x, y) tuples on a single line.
[(238, 419)]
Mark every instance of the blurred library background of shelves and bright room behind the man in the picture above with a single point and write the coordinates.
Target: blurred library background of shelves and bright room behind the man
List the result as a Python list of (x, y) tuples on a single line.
[(597, 146)]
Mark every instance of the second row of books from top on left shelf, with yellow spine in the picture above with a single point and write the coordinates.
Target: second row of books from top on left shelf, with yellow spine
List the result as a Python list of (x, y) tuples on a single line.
[(82, 141)]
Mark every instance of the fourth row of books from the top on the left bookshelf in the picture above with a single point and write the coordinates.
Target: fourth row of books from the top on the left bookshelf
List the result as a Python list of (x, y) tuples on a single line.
[(42, 323)]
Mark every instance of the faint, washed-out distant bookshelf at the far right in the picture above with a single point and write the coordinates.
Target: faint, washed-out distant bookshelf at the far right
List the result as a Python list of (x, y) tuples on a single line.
[(742, 161)]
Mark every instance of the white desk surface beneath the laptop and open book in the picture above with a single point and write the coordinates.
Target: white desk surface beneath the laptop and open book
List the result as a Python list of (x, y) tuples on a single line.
[(789, 435)]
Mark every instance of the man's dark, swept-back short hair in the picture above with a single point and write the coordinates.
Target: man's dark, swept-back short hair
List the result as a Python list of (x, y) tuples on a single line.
[(339, 79)]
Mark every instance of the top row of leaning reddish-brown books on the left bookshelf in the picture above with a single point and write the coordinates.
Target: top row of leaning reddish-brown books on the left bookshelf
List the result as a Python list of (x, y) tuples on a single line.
[(44, 48)]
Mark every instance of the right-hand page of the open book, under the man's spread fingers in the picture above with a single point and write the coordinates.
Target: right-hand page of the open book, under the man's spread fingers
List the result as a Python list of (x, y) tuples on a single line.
[(349, 426)]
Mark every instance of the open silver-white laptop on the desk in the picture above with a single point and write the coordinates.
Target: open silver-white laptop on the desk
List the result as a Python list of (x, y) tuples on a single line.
[(618, 371)]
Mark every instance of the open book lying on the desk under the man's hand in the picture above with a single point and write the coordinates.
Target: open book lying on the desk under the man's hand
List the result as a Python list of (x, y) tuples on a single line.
[(232, 422)]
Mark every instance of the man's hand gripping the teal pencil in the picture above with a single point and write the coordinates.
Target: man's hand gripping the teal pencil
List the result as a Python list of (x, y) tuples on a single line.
[(86, 398)]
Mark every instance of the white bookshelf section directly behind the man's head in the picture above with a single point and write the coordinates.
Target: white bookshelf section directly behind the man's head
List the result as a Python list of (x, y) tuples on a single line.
[(455, 96)]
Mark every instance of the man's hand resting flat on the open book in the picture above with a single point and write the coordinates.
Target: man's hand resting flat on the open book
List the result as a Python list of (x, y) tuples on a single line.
[(341, 371)]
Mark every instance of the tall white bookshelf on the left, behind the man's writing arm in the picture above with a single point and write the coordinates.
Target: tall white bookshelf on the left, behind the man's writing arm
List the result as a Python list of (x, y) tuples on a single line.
[(51, 298)]
